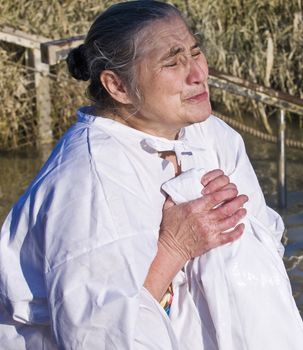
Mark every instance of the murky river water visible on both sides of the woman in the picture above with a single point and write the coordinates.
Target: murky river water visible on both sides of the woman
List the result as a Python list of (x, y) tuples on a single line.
[(17, 170)]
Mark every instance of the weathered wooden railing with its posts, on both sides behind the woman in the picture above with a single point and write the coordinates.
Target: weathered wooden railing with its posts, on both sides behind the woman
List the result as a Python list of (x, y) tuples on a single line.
[(43, 53)]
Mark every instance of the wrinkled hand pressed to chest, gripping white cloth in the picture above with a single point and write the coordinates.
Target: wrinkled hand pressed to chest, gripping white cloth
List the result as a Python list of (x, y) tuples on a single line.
[(191, 229)]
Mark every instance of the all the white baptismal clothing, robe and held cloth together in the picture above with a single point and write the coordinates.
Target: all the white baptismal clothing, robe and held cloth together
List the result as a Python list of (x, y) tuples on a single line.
[(77, 246)]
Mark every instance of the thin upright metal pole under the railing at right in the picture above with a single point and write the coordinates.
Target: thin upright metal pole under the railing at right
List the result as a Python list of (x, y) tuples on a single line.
[(282, 190)]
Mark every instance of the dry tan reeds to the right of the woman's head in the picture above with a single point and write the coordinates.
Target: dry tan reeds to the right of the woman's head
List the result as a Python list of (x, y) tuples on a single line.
[(261, 41)]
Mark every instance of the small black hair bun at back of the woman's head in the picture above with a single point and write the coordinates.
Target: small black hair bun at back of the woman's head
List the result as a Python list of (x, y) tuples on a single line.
[(77, 63)]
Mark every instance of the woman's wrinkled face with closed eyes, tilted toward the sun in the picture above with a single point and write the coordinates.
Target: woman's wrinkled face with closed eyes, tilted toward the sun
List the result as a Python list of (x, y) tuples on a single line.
[(172, 78)]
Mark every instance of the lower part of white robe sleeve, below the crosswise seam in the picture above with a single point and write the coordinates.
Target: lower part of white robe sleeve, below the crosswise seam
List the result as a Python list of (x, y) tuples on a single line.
[(96, 302)]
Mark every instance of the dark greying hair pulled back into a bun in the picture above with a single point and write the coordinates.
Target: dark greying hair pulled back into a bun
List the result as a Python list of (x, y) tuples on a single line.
[(111, 44)]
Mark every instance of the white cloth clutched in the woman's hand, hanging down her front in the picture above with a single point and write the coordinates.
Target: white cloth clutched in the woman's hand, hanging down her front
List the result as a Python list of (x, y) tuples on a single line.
[(244, 284)]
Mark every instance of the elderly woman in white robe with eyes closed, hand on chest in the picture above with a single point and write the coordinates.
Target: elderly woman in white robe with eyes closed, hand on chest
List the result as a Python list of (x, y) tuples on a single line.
[(97, 254)]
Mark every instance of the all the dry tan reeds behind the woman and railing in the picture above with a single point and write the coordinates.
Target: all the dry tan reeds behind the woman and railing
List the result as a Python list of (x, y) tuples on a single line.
[(257, 40)]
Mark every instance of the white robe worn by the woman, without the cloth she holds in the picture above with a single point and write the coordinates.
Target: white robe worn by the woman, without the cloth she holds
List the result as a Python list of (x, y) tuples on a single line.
[(76, 247)]
